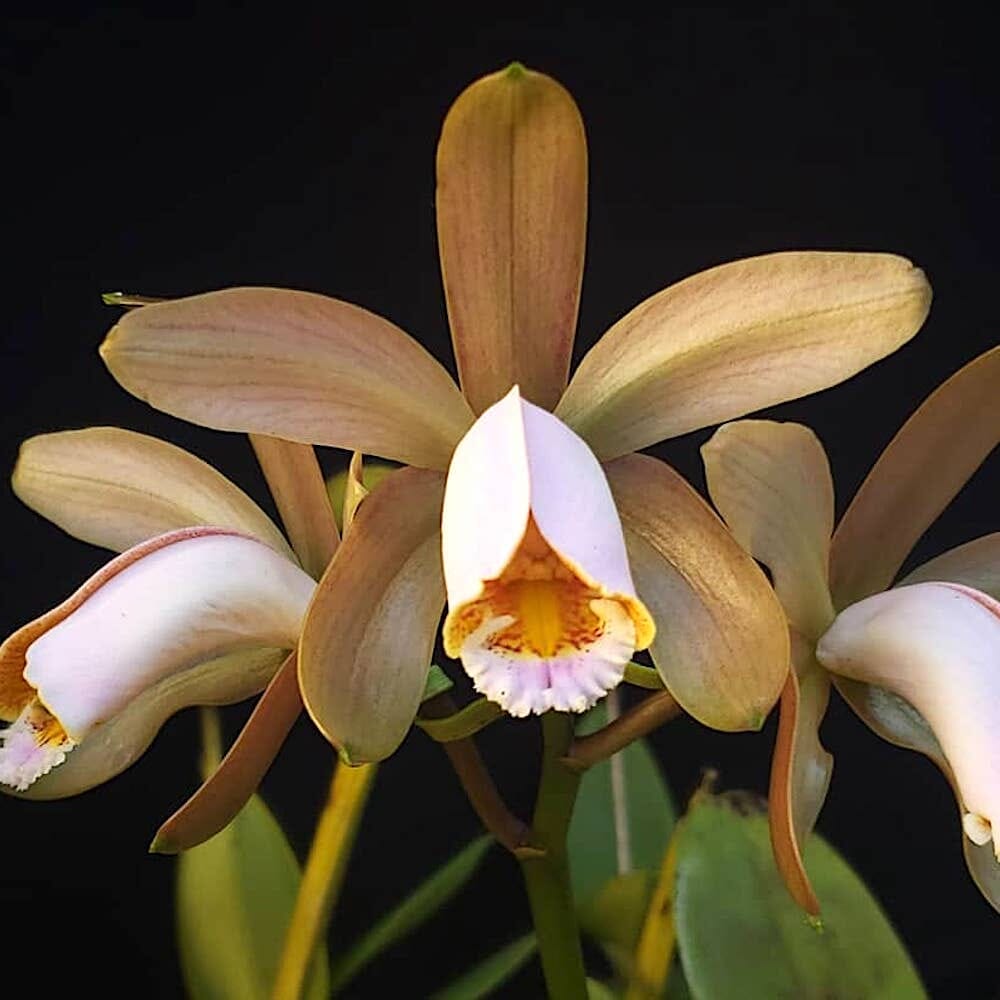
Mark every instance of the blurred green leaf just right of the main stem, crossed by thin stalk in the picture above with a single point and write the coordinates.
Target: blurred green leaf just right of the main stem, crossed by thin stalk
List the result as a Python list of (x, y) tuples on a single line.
[(646, 808)]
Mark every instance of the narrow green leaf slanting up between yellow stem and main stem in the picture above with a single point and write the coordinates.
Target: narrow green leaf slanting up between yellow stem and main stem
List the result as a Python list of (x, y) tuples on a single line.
[(432, 894)]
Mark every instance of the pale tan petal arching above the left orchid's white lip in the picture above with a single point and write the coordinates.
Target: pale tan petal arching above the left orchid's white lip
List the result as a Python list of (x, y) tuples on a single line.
[(116, 488)]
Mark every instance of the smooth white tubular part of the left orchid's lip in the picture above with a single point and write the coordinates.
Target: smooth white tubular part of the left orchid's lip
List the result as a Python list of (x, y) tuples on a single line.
[(198, 597)]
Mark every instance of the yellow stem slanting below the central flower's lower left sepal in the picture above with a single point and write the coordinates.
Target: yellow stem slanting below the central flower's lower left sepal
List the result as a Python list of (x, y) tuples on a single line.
[(323, 876)]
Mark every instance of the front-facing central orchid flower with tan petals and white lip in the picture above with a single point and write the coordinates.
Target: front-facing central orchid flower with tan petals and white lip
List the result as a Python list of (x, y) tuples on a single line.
[(529, 481)]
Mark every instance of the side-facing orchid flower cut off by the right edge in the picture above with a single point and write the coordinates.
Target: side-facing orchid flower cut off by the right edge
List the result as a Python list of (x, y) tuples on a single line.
[(920, 661)]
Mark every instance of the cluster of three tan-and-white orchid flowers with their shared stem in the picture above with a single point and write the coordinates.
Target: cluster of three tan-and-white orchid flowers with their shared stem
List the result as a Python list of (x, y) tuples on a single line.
[(525, 515)]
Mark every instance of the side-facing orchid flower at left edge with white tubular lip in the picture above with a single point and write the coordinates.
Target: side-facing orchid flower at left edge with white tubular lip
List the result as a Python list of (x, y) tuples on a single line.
[(202, 607)]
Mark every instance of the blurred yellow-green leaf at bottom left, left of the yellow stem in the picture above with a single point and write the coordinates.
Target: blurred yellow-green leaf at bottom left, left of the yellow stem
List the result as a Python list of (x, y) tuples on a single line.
[(235, 895)]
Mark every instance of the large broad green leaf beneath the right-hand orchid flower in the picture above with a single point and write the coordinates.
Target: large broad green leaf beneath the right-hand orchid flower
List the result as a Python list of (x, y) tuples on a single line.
[(741, 935)]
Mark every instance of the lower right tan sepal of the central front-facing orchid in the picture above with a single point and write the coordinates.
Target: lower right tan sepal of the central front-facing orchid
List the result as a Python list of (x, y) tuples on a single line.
[(721, 642)]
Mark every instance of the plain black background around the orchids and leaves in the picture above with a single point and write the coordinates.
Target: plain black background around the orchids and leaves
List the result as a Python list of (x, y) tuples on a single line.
[(175, 153)]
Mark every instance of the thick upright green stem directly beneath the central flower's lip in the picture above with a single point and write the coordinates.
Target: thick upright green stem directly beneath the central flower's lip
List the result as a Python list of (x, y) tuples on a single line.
[(547, 876)]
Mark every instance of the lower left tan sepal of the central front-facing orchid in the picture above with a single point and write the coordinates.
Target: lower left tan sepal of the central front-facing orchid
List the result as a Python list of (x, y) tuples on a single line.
[(369, 634)]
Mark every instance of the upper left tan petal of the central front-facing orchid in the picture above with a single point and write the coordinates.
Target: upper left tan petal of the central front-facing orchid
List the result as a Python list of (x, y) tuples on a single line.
[(292, 365)]
